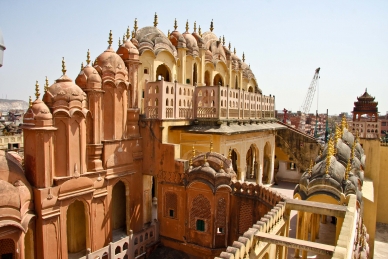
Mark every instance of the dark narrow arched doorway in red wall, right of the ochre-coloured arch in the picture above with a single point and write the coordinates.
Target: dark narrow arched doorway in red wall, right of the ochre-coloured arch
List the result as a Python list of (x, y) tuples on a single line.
[(118, 211)]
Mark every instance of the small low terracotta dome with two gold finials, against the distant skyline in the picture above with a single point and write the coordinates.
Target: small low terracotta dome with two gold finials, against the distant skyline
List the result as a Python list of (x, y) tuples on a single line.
[(38, 113)]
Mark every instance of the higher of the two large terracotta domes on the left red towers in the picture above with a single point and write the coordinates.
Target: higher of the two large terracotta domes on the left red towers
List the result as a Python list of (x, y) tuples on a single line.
[(110, 65)]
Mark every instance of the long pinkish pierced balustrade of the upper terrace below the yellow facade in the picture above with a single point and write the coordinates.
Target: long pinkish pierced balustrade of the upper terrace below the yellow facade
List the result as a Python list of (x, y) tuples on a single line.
[(166, 100)]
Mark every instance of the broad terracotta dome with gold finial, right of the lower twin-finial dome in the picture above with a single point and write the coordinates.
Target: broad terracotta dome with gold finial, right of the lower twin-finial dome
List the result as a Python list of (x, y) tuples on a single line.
[(64, 95)]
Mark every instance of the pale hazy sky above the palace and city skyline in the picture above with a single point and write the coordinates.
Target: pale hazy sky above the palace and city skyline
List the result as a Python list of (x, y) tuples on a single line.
[(284, 42)]
